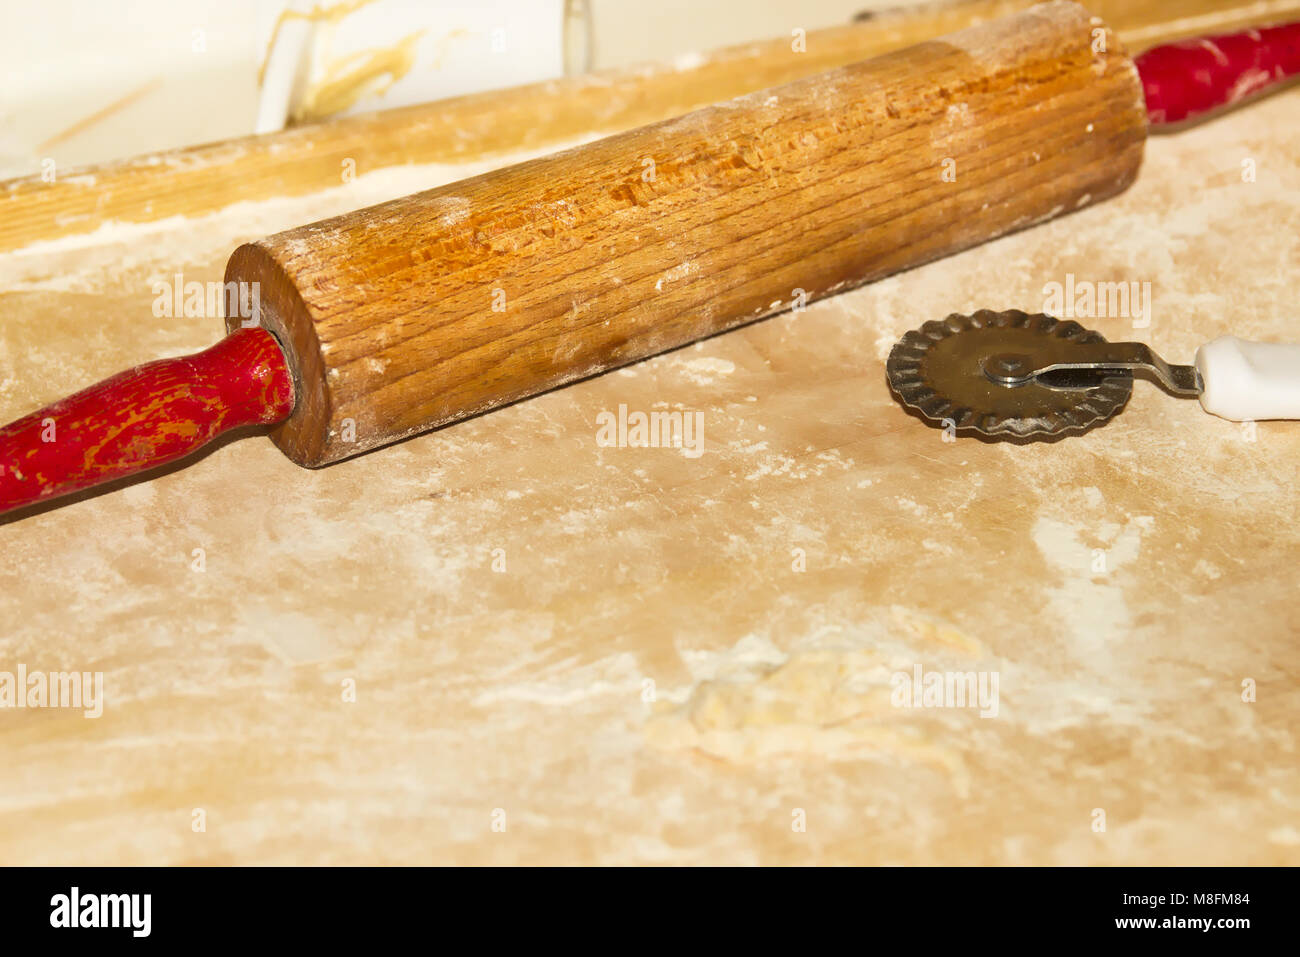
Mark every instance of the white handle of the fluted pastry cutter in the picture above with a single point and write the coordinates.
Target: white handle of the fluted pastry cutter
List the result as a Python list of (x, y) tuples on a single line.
[(1250, 382)]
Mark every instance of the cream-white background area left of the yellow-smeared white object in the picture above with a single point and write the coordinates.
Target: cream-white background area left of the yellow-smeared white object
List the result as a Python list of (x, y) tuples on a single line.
[(85, 83)]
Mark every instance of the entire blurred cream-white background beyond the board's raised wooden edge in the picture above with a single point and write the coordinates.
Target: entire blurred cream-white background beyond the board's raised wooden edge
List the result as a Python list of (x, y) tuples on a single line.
[(96, 81)]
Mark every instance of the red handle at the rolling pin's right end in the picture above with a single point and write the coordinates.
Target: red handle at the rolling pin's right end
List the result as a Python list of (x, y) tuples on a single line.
[(1185, 81)]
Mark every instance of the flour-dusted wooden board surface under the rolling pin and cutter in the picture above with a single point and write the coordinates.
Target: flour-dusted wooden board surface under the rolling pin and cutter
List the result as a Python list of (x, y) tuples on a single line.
[(638, 656)]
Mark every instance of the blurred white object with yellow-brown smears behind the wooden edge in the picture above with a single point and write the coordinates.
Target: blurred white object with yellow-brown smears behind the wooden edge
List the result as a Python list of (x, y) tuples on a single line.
[(365, 55)]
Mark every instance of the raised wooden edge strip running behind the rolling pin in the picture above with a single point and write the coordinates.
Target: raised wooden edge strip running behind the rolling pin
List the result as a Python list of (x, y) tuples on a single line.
[(304, 161)]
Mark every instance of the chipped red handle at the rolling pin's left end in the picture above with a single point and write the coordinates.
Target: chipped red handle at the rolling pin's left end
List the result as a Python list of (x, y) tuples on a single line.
[(144, 418)]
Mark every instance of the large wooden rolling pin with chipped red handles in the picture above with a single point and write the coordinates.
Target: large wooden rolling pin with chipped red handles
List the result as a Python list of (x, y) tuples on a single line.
[(418, 313)]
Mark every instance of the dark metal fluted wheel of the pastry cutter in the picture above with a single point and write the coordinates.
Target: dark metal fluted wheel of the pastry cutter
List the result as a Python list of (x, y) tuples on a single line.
[(938, 371)]
